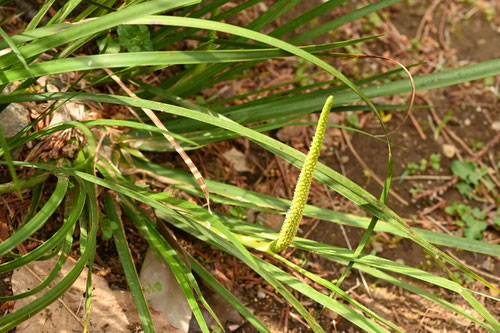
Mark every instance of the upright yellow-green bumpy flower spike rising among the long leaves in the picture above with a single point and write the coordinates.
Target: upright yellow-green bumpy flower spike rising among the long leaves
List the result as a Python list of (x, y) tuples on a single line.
[(294, 214)]
